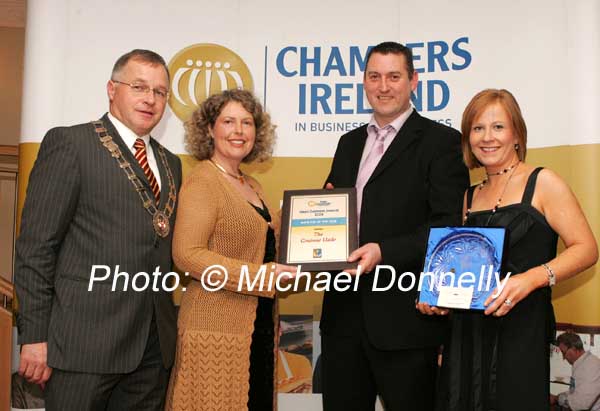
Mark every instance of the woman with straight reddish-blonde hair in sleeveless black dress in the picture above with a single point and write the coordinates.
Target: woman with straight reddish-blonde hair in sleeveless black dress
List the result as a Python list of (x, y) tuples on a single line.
[(499, 359)]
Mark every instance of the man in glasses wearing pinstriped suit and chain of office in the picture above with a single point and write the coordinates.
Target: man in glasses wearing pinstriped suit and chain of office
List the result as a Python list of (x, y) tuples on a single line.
[(101, 193)]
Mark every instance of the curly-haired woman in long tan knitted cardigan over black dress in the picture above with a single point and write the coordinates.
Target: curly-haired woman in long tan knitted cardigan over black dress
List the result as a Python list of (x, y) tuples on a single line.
[(226, 341)]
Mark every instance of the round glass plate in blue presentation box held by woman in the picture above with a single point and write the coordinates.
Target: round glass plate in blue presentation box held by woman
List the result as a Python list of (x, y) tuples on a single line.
[(463, 266)]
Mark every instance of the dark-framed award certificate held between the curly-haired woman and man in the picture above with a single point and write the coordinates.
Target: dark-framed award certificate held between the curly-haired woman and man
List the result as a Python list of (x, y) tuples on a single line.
[(318, 229)]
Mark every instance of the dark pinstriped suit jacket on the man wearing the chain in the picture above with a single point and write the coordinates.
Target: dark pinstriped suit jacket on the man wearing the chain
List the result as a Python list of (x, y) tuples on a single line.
[(81, 210)]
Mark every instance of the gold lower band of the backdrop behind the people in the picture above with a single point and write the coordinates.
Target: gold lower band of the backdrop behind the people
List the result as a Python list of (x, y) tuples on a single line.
[(575, 301)]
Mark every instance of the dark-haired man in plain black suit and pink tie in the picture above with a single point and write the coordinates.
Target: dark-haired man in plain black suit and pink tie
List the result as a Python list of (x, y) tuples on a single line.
[(409, 175)]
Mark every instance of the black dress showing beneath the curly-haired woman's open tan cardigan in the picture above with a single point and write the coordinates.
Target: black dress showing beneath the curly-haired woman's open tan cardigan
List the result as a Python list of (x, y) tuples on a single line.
[(260, 396)]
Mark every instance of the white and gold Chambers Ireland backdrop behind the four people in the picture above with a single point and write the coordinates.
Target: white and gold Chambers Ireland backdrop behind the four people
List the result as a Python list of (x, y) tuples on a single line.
[(305, 62)]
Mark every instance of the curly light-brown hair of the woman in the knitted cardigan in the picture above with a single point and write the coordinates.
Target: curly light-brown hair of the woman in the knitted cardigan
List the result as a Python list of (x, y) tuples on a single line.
[(198, 140)]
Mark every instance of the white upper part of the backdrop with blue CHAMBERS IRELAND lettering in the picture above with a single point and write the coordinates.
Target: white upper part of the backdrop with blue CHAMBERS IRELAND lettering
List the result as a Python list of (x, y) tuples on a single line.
[(306, 60)]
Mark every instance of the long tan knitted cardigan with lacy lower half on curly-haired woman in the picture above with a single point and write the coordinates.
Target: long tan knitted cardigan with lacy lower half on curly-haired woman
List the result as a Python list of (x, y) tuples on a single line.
[(215, 225)]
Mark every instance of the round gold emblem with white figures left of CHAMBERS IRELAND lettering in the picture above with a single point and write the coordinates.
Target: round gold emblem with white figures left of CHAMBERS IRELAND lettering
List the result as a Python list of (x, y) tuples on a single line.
[(202, 70)]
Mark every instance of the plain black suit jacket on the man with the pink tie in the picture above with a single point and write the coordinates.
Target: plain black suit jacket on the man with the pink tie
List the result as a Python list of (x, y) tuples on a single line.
[(420, 181)]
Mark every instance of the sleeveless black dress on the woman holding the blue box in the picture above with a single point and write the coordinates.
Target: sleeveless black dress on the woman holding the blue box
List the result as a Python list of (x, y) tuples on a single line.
[(503, 363)]
